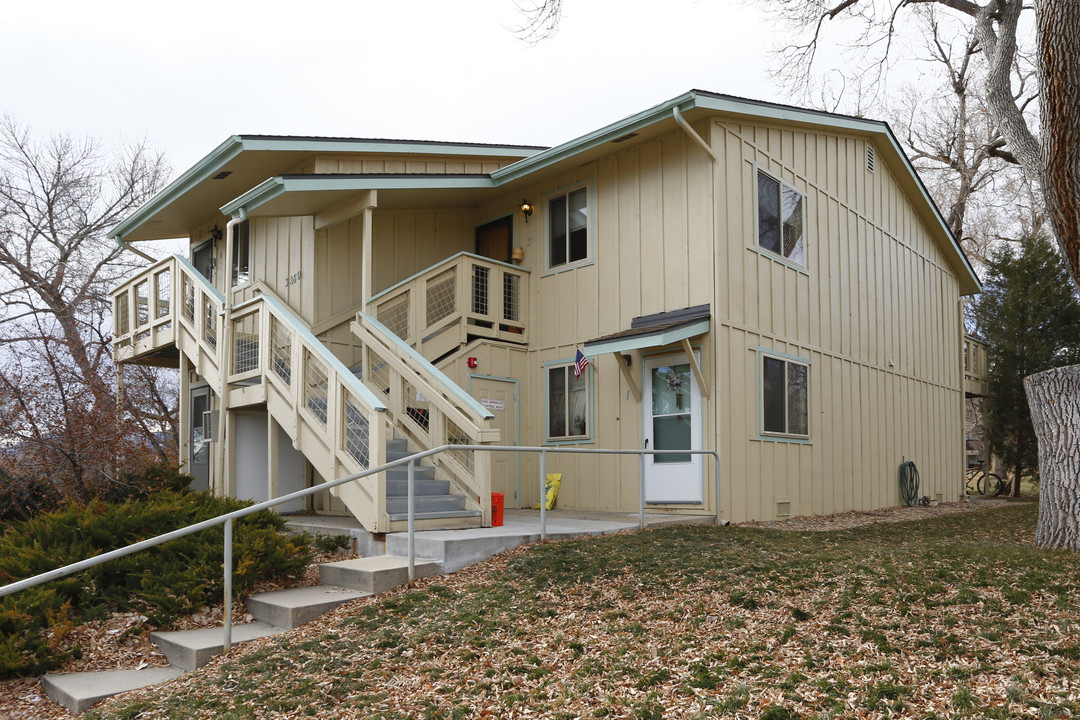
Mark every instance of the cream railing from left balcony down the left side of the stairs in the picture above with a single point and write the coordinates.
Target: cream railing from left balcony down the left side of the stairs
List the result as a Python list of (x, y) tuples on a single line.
[(331, 416)]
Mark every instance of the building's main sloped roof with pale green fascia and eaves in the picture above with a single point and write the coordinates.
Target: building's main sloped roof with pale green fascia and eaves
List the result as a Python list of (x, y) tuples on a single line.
[(239, 160)]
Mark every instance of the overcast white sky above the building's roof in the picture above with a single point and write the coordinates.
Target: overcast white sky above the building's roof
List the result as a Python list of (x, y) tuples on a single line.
[(187, 76)]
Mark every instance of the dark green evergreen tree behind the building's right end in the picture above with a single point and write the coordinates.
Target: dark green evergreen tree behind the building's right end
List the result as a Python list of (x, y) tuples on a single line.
[(1030, 319)]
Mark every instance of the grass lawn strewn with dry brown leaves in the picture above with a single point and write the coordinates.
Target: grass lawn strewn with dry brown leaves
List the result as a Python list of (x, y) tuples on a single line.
[(956, 617)]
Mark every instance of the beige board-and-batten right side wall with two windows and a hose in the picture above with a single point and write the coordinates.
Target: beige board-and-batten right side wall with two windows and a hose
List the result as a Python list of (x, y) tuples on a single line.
[(875, 314)]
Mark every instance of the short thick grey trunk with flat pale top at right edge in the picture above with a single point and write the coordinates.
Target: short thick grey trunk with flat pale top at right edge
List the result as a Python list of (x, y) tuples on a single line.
[(1055, 399)]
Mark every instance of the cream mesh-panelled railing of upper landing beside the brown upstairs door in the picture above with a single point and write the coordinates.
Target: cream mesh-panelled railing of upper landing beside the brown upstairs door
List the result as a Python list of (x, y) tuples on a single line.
[(466, 295)]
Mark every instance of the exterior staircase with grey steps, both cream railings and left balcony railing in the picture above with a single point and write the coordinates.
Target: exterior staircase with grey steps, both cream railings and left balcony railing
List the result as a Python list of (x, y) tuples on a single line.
[(260, 354)]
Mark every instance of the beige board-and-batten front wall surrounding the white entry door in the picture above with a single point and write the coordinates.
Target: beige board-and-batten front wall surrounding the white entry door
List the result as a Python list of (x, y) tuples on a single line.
[(652, 242)]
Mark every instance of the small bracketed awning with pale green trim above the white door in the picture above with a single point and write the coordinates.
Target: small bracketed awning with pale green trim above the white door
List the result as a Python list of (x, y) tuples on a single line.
[(657, 331)]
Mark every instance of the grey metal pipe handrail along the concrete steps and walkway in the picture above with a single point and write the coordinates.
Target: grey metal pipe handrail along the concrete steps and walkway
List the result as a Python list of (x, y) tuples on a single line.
[(411, 461)]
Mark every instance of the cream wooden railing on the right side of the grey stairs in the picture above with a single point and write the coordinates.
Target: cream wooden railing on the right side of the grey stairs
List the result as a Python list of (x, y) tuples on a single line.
[(429, 410)]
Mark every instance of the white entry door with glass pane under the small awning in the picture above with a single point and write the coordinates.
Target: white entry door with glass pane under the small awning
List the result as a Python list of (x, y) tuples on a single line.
[(672, 403)]
